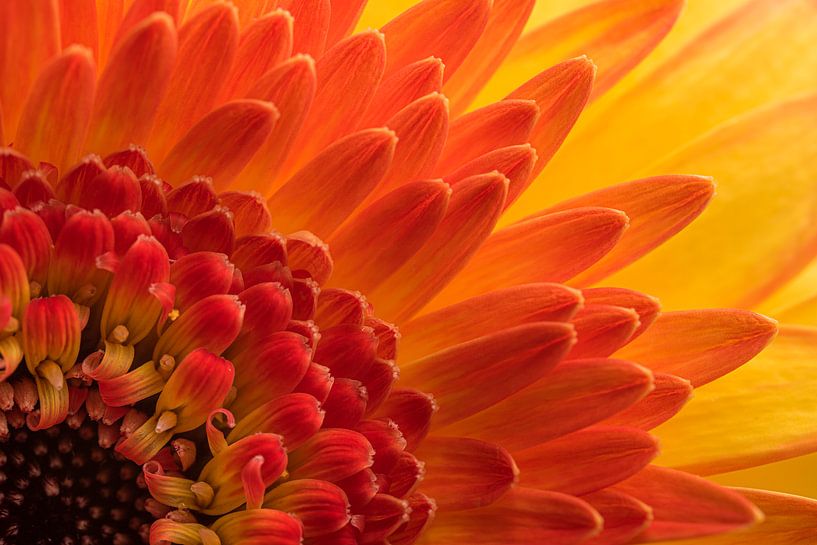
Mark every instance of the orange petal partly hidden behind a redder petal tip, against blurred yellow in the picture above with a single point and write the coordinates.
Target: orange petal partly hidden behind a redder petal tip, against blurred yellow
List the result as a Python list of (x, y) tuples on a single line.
[(657, 207)]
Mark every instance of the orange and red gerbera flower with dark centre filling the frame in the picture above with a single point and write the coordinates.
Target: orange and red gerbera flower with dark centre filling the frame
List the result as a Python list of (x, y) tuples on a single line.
[(184, 360)]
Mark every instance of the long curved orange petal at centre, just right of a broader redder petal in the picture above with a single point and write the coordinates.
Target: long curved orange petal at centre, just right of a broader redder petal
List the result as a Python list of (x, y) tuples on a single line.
[(472, 213)]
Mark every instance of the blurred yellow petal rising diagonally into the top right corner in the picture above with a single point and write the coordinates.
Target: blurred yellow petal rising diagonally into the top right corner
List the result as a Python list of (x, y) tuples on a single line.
[(705, 83)]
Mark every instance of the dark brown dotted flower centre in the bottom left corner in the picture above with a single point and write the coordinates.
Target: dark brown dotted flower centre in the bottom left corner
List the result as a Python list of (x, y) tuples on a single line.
[(58, 486)]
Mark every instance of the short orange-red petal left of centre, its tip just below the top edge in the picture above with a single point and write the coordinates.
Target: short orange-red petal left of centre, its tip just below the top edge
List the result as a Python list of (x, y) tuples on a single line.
[(264, 44)]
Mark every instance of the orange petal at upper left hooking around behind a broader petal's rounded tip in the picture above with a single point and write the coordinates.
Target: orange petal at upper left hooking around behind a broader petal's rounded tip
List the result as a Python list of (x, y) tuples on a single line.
[(291, 87)]
